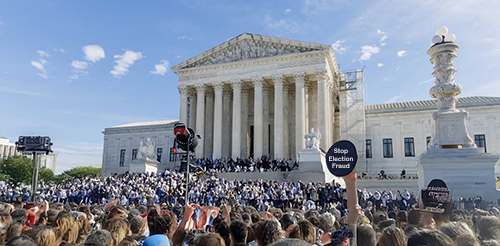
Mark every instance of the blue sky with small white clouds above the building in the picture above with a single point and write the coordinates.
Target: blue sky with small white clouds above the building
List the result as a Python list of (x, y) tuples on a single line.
[(69, 69)]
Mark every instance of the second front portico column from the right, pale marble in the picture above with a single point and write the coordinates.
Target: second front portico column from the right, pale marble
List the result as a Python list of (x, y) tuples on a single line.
[(299, 112)]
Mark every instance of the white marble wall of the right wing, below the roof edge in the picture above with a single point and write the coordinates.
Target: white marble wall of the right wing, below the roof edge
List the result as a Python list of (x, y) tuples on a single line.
[(418, 124)]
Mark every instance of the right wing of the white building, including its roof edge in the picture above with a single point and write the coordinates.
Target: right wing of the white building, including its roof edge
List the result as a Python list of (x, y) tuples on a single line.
[(397, 121)]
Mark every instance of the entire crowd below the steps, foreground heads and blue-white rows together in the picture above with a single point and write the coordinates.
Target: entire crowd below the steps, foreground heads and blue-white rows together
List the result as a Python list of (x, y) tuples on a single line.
[(142, 209)]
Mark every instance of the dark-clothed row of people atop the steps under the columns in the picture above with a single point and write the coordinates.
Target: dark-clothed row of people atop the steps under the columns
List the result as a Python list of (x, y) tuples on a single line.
[(264, 164)]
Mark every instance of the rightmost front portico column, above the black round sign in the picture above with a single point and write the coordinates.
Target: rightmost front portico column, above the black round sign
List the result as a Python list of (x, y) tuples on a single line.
[(323, 110)]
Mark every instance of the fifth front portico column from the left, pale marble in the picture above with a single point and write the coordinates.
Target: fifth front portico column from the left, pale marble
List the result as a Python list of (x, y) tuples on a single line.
[(258, 118)]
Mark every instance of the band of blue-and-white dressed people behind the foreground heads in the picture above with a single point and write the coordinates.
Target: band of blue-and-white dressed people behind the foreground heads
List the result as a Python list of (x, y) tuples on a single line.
[(169, 188)]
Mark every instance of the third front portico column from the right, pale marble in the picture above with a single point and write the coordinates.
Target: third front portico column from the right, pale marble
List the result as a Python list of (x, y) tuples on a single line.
[(278, 117)]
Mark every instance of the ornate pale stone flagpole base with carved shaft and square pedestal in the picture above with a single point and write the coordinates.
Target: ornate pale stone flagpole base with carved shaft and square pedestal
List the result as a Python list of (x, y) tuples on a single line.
[(452, 155)]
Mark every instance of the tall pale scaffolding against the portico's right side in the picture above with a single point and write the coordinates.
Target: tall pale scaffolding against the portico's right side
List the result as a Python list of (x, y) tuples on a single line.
[(352, 113)]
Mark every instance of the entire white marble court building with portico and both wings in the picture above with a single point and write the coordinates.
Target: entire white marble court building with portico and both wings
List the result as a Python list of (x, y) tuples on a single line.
[(255, 96)]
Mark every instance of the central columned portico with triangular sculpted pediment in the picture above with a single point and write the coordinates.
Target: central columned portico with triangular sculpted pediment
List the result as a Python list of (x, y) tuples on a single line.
[(251, 77)]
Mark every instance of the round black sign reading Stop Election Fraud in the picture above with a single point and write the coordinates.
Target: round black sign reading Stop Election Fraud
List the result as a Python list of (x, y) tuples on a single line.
[(341, 158)]
